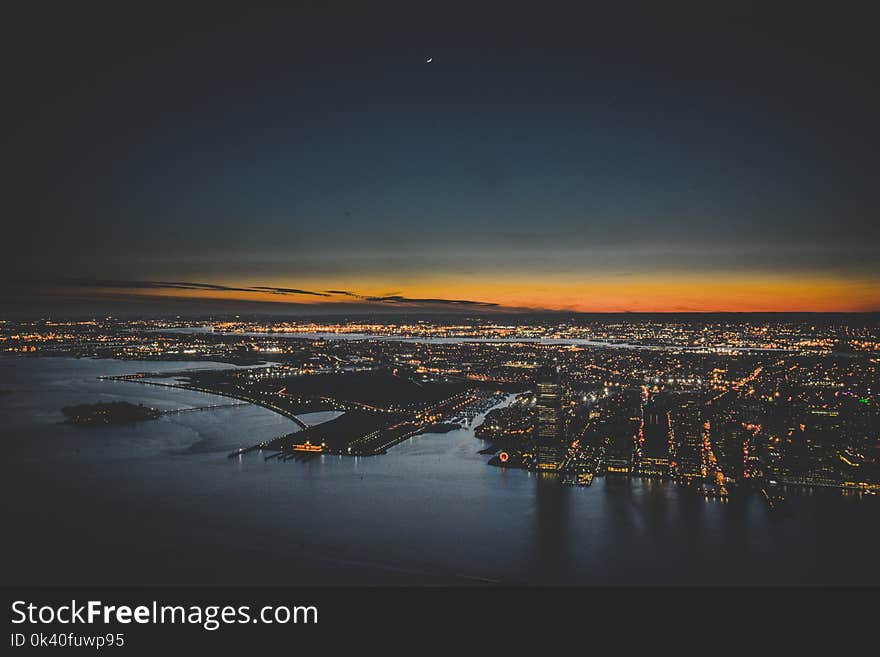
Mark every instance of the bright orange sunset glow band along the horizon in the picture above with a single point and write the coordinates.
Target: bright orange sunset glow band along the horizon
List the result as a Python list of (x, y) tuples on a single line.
[(709, 293)]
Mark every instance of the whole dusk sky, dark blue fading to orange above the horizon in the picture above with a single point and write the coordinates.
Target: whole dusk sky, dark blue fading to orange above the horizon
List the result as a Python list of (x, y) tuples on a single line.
[(312, 161)]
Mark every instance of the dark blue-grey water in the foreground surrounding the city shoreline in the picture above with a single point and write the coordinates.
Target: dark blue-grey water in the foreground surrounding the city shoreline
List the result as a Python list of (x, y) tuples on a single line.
[(160, 503)]
